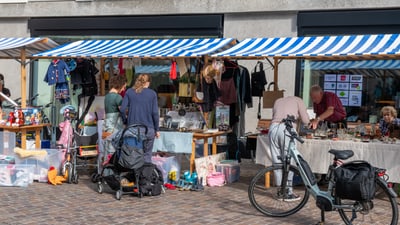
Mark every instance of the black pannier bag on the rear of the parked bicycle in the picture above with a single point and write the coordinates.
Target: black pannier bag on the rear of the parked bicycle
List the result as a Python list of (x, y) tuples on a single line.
[(356, 181)]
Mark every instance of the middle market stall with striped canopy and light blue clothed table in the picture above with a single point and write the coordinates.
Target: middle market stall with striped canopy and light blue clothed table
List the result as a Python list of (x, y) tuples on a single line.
[(172, 49)]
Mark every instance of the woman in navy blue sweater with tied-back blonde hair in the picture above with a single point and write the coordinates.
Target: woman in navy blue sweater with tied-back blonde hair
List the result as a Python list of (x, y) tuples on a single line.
[(140, 106)]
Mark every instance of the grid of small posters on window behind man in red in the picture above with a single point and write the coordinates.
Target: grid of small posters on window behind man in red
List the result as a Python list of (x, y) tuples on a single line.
[(347, 87)]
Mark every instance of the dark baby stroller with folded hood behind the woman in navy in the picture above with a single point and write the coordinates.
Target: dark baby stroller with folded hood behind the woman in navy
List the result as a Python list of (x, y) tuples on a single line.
[(123, 172)]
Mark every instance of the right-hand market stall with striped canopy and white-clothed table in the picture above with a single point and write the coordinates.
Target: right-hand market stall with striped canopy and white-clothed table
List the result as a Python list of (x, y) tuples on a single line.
[(380, 50)]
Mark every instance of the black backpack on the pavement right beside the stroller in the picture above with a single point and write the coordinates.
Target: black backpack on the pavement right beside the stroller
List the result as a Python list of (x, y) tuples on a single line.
[(151, 180)]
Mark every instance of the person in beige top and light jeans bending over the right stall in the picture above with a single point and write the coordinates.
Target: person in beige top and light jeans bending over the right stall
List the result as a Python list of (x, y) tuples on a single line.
[(283, 107)]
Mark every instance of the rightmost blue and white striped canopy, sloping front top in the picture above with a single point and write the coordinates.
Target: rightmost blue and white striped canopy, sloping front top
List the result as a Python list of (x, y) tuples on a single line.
[(318, 46)]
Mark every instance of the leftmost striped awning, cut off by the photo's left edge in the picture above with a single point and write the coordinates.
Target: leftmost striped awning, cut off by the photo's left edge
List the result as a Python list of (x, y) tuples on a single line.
[(11, 47)]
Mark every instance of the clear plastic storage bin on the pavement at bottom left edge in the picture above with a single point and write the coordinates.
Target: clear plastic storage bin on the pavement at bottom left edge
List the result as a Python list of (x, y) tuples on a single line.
[(16, 175)]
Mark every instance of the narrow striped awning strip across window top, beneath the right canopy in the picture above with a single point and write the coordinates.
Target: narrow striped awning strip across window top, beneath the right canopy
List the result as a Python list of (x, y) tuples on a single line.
[(363, 64)]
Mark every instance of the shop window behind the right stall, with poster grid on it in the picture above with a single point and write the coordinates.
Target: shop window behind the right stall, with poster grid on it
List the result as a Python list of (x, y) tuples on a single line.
[(363, 86)]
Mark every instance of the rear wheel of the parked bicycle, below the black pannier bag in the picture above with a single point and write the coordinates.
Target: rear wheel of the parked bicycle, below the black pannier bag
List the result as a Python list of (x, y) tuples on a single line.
[(381, 210)]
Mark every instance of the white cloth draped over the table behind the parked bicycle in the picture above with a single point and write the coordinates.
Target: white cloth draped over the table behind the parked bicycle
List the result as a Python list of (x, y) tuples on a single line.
[(315, 152)]
